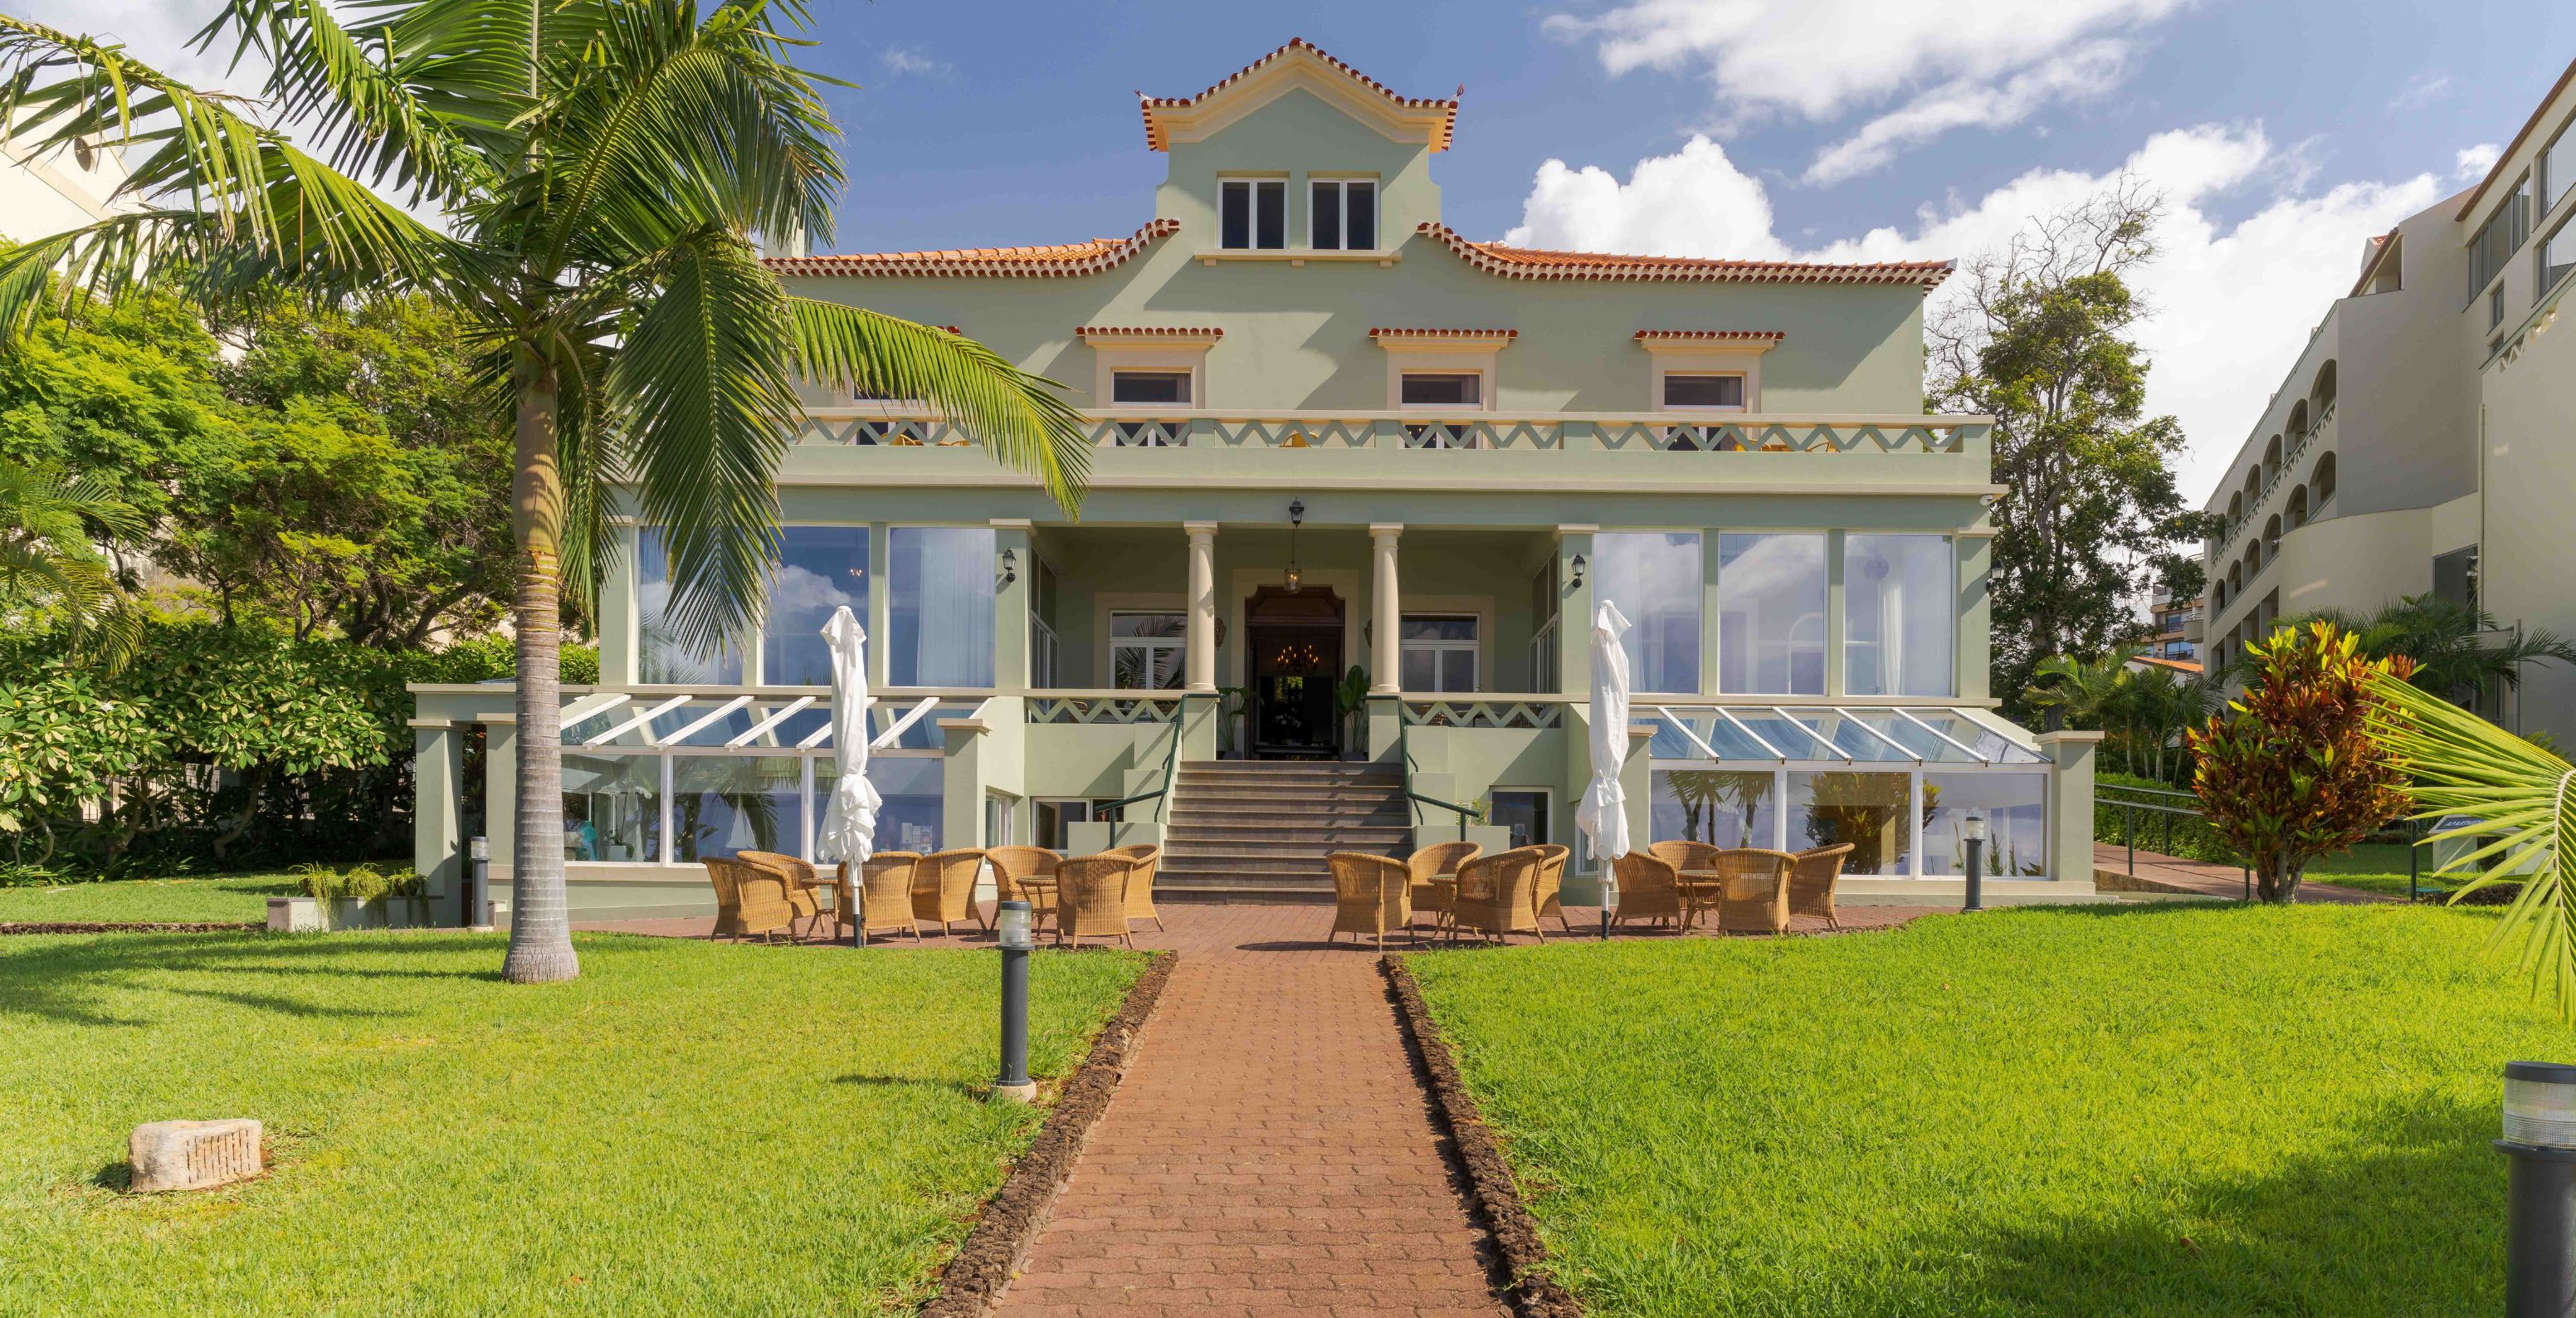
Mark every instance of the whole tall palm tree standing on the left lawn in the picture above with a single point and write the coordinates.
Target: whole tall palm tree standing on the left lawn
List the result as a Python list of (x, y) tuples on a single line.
[(604, 169)]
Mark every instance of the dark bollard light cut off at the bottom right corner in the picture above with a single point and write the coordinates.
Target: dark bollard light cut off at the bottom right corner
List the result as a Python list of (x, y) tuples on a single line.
[(2541, 1191)]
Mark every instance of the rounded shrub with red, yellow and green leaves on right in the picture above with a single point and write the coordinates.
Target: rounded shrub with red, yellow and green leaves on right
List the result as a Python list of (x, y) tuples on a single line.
[(2291, 771)]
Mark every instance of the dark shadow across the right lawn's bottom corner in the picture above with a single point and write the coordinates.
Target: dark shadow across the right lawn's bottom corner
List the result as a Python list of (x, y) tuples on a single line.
[(2402, 1219)]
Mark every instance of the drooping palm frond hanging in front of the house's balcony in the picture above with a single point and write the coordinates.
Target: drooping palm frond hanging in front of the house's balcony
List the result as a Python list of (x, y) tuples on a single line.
[(1016, 416)]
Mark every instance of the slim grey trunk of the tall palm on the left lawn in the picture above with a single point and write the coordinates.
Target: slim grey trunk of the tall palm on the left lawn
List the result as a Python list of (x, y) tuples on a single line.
[(540, 933)]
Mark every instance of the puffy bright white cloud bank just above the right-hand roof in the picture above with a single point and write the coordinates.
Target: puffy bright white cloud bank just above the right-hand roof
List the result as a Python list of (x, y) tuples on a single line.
[(2232, 302)]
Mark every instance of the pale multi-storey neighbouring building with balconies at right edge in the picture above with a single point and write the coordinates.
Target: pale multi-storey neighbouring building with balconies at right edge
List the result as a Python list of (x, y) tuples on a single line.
[(2420, 444)]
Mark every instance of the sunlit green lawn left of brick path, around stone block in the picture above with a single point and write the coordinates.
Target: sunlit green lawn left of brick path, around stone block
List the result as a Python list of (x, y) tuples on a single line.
[(687, 1129)]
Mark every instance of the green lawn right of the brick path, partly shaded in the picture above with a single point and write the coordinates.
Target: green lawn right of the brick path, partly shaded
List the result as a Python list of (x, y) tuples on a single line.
[(2139, 1111)]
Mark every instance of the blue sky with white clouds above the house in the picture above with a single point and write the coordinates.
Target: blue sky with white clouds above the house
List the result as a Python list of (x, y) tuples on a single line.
[(2281, 133)]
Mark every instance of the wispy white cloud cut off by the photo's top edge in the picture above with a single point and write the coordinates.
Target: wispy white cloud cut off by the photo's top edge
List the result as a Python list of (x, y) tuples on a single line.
[(1993, 63)]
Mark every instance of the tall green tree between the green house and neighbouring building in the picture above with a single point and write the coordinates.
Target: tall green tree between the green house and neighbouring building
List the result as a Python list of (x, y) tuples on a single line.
[(2090, 511)]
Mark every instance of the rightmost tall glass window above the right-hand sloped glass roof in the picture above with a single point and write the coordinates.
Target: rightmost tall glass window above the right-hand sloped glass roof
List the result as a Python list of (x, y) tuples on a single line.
[(1897, 614)]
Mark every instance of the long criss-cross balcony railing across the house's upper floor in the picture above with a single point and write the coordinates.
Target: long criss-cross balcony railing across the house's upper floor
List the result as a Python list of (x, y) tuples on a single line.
[(1454, 431)]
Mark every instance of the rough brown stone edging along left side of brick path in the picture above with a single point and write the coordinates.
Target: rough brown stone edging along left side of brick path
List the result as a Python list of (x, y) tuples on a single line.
[(1009, 1224)]
